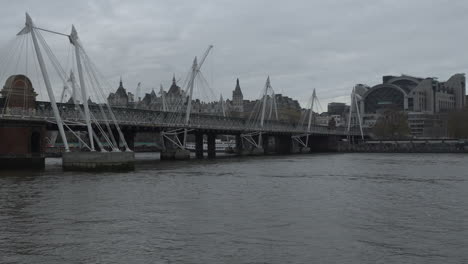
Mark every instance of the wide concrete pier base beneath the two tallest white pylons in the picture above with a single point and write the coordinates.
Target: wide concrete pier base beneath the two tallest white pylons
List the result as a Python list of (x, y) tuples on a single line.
[(98, 161)]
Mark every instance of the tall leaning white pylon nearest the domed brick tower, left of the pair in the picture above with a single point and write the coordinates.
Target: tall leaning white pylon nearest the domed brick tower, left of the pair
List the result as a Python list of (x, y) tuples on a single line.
[(30, 28)]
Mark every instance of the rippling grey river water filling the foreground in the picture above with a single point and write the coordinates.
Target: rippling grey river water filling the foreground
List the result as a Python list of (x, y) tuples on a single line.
[(321, 208)]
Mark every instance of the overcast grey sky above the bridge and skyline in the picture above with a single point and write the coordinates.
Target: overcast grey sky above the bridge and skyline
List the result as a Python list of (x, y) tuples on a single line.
[(328, 45)]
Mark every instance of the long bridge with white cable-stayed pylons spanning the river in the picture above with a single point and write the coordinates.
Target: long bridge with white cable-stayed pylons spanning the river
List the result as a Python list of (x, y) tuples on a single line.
[(109, 131)]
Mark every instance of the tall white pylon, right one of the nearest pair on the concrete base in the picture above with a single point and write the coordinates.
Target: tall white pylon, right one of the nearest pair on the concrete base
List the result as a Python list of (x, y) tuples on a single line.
[(84, 95)]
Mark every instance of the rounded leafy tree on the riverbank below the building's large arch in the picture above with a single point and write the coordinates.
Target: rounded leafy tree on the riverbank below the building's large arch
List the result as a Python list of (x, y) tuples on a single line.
[(392, 124)]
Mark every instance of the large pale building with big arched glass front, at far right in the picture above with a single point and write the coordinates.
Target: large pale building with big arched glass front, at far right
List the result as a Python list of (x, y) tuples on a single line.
[(425, 100)]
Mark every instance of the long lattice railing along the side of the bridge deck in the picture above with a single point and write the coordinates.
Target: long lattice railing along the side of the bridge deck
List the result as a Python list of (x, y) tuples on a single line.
[(137, 117)]
